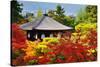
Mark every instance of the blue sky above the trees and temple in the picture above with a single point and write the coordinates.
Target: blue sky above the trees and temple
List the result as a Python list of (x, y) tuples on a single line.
[(31, 6)]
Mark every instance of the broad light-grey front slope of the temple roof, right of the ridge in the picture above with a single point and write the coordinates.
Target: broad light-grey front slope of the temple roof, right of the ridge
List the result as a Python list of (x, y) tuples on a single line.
[(50, 24)]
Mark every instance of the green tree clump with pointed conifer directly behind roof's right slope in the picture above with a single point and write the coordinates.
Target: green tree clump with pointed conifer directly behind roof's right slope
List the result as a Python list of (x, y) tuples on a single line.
[(58, 15)]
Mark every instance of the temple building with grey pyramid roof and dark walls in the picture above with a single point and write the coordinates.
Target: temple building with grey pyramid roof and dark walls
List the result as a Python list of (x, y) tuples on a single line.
[(44, 26)]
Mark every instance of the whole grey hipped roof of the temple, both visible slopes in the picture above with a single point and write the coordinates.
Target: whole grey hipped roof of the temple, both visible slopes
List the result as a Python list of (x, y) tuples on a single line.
[(44, 23)]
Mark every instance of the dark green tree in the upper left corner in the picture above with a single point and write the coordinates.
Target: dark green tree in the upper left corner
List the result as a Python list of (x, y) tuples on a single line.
[(15, 11)]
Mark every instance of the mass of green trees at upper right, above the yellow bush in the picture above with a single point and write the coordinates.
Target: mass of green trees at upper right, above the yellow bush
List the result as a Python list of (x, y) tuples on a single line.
[(88, 14)]
